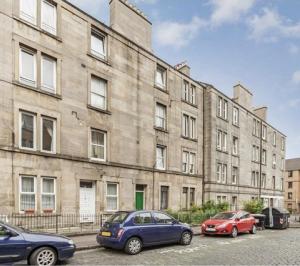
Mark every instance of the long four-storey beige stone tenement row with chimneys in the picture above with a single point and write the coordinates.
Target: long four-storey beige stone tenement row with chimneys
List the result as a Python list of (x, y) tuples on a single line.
[(92, 121)]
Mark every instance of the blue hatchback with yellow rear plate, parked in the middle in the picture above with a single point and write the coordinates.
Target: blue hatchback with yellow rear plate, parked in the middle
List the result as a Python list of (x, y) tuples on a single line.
[(134, 230)]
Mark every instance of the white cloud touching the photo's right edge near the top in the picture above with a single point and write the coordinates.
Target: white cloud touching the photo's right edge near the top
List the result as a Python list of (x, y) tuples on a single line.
[(270, 26)]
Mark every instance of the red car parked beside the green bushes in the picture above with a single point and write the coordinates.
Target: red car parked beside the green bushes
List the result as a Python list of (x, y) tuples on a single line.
[(229, 223)]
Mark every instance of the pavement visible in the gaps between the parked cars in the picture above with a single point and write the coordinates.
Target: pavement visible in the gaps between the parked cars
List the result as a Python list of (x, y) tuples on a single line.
[(88, 241)]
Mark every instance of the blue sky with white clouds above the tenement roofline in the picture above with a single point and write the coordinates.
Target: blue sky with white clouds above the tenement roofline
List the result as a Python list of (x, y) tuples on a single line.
[(254, 42)]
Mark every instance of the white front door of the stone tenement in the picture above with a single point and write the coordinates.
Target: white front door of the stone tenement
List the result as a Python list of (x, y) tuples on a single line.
[(87, 202)]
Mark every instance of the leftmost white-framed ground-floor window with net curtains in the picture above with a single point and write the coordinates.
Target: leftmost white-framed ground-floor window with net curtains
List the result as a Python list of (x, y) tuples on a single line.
[(27, 194)]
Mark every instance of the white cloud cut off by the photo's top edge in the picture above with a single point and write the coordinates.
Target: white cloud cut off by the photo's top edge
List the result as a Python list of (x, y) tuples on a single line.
[(228, 11)]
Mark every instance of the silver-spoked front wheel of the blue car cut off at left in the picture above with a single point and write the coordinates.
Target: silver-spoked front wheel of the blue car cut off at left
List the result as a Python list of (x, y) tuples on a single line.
[(43, 256)]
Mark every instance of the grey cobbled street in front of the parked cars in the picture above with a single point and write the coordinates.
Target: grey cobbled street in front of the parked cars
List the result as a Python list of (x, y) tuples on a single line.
[(265, 248)]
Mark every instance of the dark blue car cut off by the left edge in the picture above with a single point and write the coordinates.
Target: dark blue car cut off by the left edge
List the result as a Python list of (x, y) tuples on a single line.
[(38, 249)]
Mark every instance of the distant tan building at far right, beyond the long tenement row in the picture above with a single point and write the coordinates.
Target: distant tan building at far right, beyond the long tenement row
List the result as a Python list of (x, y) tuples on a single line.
[(292, 185)]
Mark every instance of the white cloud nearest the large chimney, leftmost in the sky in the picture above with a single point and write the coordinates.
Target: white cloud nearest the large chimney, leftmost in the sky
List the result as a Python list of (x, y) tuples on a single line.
[(175, 34)]
